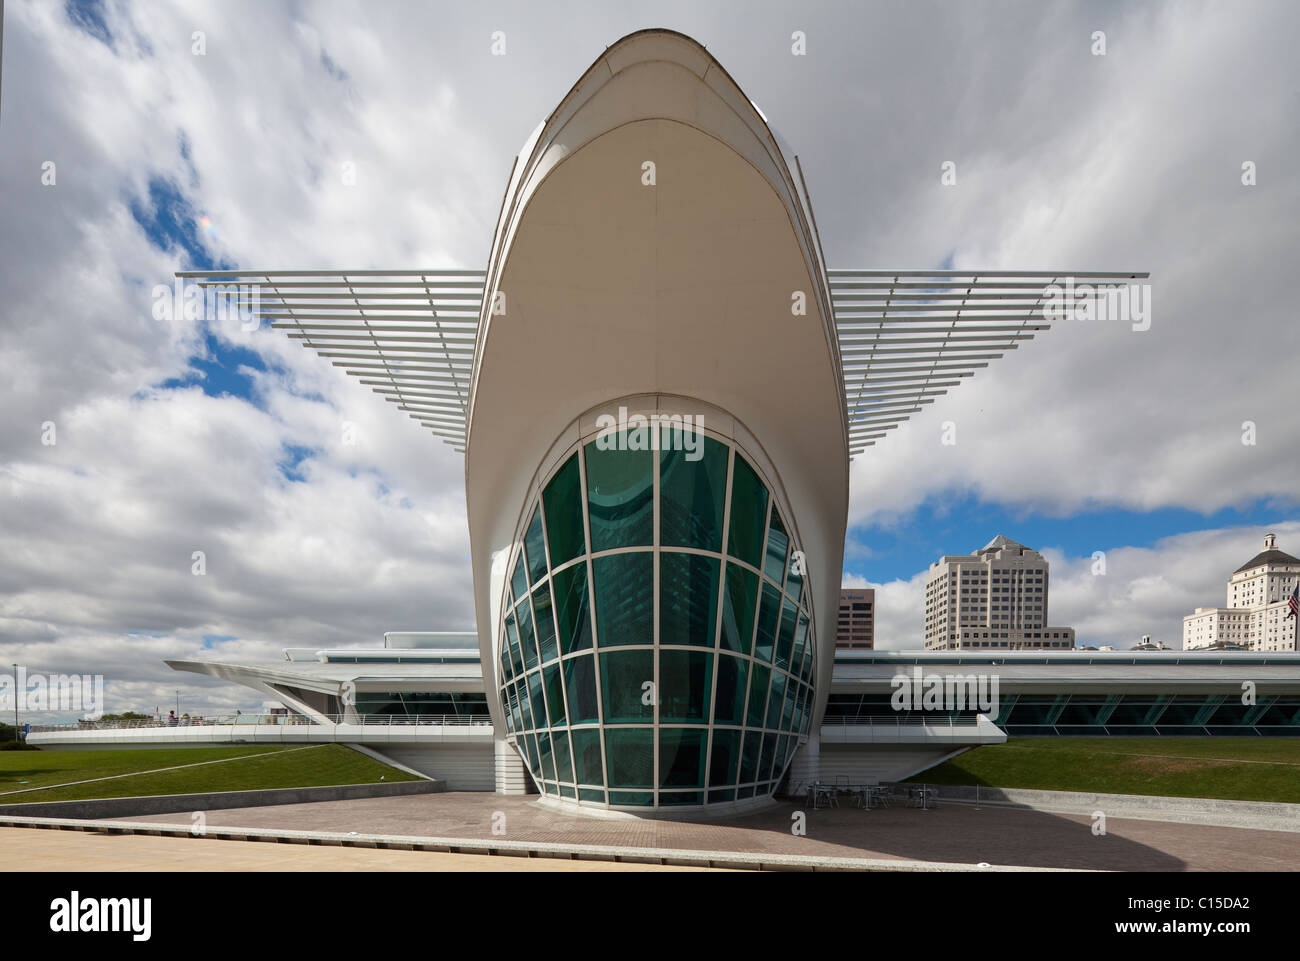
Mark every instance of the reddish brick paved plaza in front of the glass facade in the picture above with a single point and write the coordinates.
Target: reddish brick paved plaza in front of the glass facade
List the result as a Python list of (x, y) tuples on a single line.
[(950, 834)]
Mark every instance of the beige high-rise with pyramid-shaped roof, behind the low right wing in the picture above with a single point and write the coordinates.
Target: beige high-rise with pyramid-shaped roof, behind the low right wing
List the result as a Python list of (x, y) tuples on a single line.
[(995, 599)]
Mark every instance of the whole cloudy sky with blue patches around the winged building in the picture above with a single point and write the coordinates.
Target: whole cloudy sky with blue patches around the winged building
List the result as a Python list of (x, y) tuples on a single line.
[(142, 138)]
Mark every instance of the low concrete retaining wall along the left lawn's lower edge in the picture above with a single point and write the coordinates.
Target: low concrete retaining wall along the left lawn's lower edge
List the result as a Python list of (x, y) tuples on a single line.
[(214, 800)]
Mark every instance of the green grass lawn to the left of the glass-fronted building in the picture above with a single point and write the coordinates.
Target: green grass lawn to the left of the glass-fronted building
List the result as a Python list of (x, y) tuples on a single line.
[(240, 769)]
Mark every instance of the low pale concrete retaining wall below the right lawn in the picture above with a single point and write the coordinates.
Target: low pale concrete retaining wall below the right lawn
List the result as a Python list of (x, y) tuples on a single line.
[(1269, 816)]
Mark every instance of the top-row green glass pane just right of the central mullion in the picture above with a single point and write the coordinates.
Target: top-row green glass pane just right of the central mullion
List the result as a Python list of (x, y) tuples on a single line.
[(694, 487)]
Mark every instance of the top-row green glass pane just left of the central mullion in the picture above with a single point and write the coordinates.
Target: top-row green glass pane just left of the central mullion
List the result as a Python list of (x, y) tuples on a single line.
[(619, 495)]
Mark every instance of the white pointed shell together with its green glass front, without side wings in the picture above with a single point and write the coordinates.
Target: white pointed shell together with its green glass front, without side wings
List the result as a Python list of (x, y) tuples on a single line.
[(651, 248)]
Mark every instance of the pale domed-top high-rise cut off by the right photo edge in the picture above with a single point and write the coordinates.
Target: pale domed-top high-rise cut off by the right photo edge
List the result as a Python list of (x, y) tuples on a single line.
[(1256, 616)]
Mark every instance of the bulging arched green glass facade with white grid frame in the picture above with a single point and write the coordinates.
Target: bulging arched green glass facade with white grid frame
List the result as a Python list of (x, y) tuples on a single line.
[(657, 642)]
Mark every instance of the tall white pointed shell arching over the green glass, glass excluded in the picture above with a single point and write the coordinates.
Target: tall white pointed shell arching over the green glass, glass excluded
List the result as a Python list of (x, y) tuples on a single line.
[(679, 291)]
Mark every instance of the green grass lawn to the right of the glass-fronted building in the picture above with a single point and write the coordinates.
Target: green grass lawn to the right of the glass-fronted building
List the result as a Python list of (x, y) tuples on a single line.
[(1262, 769)]
